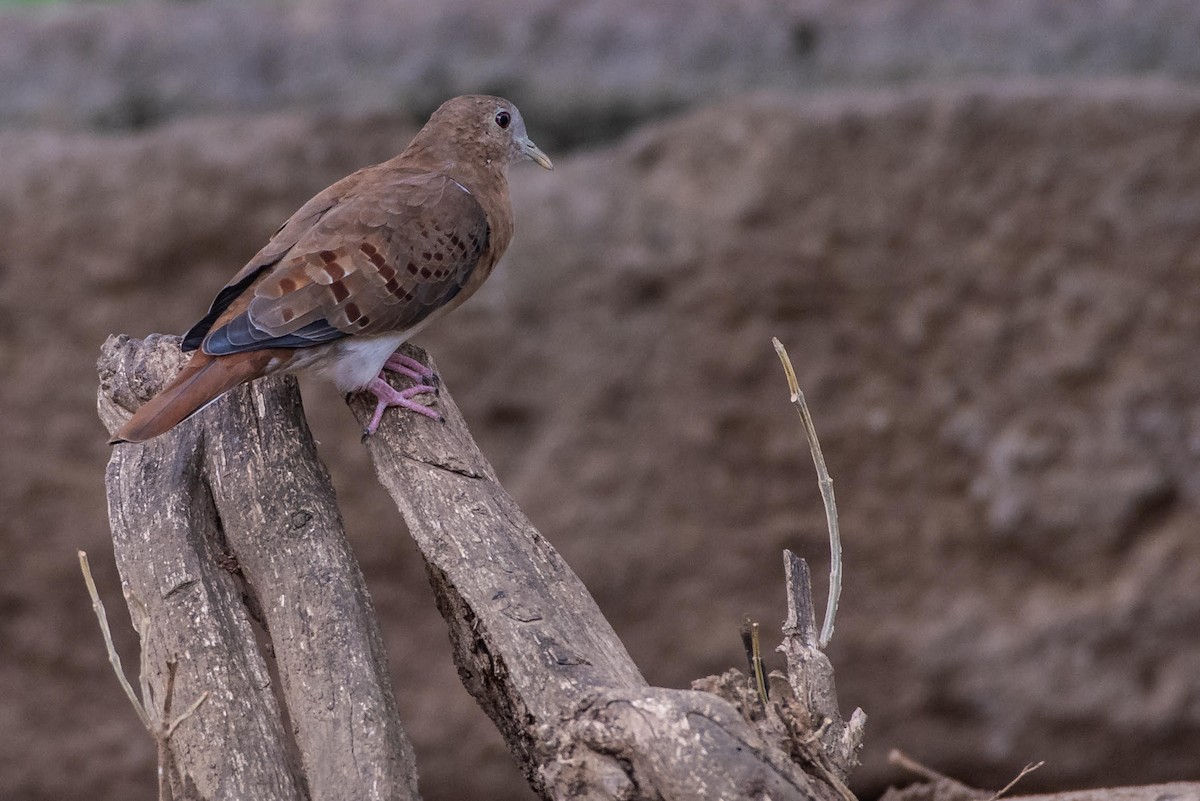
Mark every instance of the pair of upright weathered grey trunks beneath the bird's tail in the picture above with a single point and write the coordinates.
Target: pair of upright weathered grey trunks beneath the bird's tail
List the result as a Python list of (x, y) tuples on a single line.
[(226, 525)]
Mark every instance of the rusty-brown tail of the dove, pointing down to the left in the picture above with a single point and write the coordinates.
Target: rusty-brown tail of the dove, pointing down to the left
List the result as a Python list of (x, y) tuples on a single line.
[(203, 381)]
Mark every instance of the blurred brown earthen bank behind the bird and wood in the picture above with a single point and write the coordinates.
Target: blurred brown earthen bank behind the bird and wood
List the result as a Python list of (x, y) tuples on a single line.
[(975, 225)]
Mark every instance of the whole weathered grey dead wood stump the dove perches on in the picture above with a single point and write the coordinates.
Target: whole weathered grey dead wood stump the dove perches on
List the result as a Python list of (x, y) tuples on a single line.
[(229, 523)]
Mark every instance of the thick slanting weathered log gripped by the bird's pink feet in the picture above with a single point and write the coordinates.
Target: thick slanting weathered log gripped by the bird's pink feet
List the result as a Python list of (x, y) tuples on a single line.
[(537, 654)]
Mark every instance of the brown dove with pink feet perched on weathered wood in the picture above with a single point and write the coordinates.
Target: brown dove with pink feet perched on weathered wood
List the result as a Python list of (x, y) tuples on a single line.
[(361, 269)]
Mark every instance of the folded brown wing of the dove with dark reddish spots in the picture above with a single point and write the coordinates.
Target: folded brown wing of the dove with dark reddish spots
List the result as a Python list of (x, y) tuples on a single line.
[(381, 260)]
